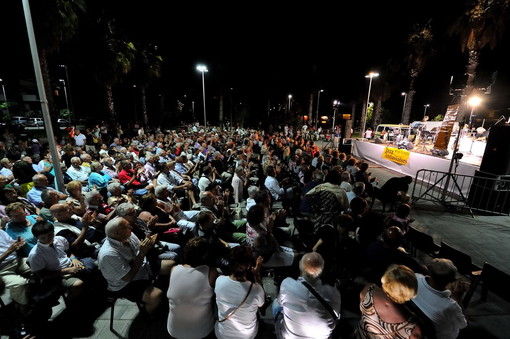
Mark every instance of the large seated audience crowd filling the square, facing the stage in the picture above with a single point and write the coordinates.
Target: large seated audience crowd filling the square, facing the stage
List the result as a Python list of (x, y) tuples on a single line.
[(185, 221)]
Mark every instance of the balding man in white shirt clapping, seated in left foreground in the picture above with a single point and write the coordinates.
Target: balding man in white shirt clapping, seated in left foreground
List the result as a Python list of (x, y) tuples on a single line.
[(123, 263)]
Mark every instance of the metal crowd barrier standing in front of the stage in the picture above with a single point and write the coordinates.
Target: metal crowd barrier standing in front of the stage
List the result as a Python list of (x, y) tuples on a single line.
[(483, 192)]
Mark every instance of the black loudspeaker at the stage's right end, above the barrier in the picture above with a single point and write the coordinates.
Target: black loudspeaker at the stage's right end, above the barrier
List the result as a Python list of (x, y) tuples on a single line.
[(496, 158)]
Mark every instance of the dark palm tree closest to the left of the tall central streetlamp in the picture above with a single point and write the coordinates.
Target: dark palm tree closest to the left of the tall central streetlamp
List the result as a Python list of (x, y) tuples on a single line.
[(147, 66)]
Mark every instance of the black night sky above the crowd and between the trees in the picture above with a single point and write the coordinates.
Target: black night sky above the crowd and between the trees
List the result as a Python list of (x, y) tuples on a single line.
[(266, 51)]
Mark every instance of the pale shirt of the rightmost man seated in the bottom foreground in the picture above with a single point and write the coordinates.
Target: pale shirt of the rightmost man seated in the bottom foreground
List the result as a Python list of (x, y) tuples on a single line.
[(444, 312)]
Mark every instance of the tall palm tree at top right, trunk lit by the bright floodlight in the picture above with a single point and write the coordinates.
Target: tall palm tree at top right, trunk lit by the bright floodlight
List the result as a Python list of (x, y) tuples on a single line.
[(481, 25)]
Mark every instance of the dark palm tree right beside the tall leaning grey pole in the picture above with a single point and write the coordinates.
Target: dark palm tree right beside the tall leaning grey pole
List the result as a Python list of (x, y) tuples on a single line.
[(55, 22)]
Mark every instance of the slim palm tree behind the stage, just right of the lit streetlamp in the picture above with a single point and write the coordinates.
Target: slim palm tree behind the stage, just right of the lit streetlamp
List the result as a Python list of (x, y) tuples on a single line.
[(420, 49)]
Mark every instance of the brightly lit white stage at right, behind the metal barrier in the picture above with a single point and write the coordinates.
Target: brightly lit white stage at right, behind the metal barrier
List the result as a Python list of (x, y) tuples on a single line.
[(421, 157)]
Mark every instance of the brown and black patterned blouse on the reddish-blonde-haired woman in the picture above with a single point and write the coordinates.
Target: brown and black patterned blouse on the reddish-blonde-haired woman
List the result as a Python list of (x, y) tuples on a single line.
[(371, 326)]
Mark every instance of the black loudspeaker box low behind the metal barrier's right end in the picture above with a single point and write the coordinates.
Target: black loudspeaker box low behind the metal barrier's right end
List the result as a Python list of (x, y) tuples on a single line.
[(490, 193)]
